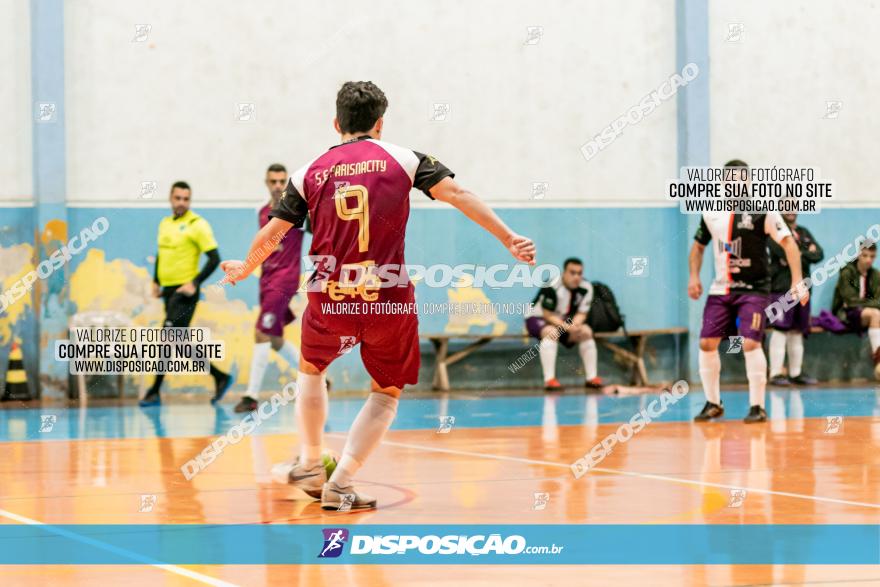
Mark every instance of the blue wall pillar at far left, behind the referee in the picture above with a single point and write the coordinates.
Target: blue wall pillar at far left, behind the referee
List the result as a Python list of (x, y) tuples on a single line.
[(49, 181)]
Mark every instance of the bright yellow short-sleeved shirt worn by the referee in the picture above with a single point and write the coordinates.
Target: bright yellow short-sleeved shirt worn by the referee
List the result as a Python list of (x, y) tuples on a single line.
[(181, 243)]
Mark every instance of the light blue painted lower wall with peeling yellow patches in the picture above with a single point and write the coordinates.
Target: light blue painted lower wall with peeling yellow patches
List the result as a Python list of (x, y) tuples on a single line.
[(605, 238)]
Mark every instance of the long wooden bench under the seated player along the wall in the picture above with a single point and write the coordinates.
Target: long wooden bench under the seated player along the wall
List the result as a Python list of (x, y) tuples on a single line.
[(634, 359)]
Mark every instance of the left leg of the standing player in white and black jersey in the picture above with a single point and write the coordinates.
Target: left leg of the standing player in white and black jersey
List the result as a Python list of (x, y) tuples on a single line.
[(718, 319)]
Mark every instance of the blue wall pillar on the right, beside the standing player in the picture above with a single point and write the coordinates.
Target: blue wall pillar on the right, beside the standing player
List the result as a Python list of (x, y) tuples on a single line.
[(692, 46)]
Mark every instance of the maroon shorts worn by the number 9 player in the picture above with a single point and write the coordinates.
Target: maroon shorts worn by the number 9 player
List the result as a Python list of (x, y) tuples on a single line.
[(389, 339)]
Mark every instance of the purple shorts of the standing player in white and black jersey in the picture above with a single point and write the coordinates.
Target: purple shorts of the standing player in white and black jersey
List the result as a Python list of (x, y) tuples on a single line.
[(732, 314)]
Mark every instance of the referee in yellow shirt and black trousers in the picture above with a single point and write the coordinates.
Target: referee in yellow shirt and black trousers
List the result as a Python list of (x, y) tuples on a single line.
[(183, 237)]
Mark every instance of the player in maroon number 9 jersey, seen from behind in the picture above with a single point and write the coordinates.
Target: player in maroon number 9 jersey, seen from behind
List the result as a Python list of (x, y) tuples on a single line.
[(357, 197)]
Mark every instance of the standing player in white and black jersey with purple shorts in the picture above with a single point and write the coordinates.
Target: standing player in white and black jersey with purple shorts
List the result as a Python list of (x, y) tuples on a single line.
[(738, 296)]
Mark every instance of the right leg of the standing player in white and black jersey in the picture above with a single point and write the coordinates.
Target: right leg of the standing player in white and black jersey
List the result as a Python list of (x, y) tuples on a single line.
[(750, 310)]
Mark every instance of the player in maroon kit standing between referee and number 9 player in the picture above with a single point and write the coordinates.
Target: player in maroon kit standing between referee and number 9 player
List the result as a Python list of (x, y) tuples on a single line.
[(279, 282)]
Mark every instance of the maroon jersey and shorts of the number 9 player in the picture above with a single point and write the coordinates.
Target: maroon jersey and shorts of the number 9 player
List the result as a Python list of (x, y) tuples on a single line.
[(357, 198)]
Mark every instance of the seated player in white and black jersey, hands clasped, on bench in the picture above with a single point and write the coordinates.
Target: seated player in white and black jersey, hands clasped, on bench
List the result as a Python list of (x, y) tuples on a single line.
[(560, 314)]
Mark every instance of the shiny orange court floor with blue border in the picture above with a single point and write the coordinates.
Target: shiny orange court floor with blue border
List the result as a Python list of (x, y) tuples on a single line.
[(815, 462)]
